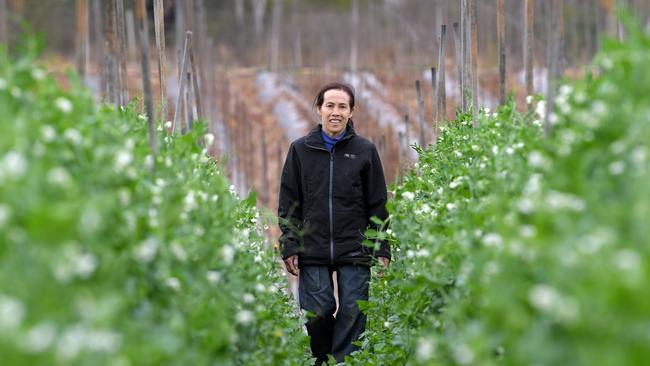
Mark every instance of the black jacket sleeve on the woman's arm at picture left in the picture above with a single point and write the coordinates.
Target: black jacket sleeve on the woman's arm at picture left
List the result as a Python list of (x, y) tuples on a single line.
[(289, 205)]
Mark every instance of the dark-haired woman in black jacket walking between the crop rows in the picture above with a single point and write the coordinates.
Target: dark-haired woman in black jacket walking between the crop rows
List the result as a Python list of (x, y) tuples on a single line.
[(332, 184)]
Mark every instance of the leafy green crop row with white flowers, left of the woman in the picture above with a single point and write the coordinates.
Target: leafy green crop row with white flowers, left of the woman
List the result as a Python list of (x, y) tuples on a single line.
[(109, 255)]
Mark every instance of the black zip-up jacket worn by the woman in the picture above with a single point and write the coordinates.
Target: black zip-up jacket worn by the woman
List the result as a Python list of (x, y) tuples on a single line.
[(327, 199)]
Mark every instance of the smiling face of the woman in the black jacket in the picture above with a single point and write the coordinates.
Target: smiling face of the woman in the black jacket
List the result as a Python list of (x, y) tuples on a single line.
[(335, 112)]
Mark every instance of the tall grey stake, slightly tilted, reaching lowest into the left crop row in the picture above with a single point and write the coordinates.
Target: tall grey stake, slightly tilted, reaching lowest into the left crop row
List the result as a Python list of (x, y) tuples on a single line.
[(141, 16)]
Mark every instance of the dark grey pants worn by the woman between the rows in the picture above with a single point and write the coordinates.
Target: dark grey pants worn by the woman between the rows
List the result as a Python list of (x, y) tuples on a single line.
[(331, 335)]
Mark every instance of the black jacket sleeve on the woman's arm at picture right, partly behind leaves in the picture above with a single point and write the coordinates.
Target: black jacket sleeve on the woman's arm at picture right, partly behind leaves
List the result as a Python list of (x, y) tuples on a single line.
[(376, 196)]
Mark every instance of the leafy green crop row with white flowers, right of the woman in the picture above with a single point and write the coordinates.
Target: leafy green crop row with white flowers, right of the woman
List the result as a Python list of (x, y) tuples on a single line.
[(513, 248)]
